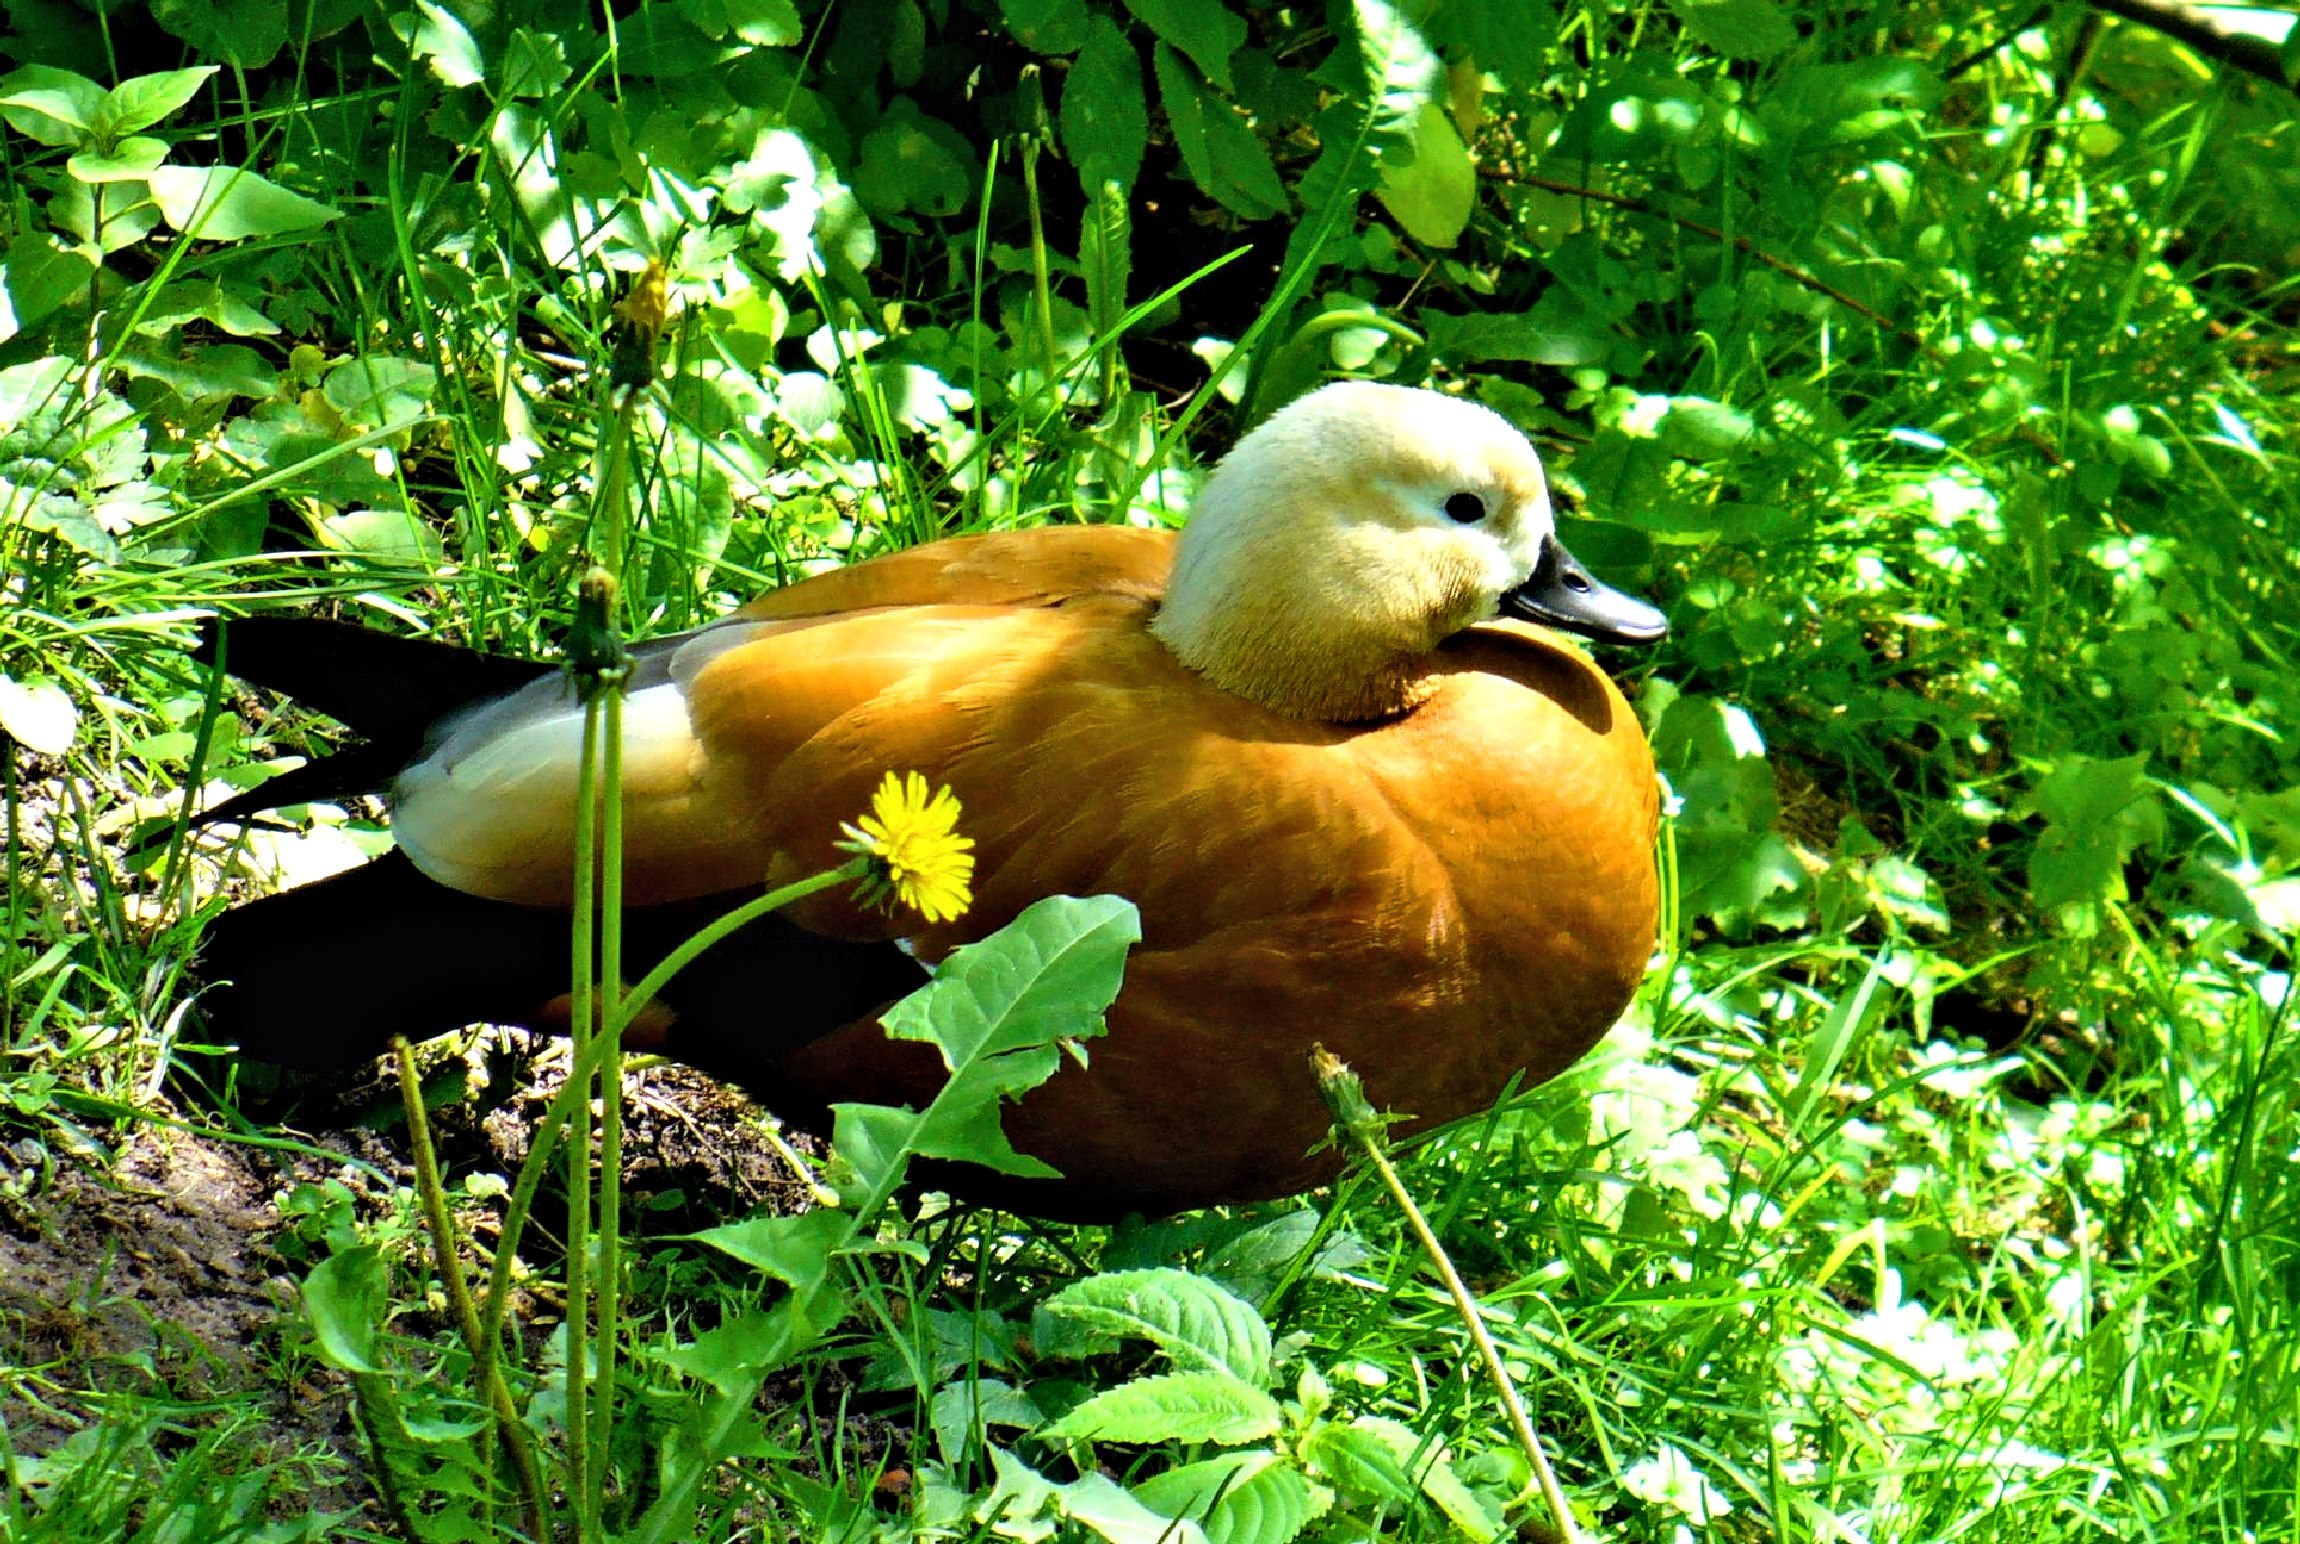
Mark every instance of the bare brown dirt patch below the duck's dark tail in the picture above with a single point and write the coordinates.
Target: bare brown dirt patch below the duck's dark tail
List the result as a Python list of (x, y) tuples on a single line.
[(162, 1278)]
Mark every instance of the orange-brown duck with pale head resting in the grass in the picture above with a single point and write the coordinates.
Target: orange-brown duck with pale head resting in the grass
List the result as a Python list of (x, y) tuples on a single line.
[(1331, 740)]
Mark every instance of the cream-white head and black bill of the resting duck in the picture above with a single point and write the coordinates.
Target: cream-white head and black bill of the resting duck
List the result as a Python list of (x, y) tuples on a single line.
[(1360, 528)]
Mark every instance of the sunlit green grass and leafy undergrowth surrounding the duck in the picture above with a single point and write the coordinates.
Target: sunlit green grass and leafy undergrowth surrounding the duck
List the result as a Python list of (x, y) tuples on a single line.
[(1940, 1182)]
